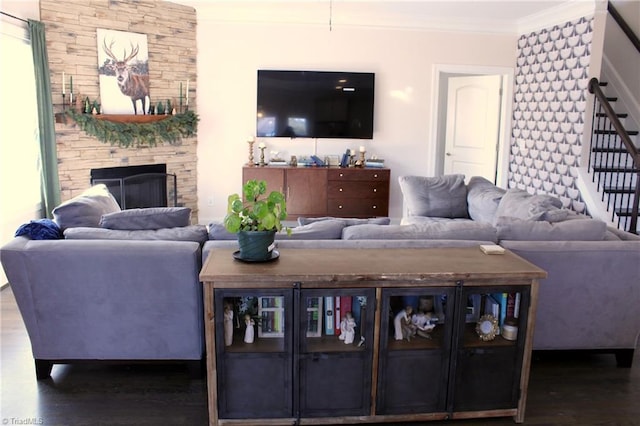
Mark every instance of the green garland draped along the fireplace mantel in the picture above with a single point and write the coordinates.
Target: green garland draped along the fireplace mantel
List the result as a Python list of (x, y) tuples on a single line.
[(171, 130)]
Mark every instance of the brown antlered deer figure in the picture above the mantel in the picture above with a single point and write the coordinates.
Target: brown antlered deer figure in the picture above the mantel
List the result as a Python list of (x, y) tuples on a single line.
[(136, 86)]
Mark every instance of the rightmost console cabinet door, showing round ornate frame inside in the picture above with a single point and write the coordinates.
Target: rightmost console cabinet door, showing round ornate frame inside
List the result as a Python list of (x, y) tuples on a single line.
[(490, 346)]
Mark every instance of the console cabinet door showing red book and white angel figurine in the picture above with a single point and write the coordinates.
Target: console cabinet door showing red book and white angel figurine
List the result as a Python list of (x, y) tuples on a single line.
[(335, 352)]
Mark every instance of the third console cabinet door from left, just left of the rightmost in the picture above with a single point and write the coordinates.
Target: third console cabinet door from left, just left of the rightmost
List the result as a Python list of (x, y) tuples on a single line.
[(415, 342)]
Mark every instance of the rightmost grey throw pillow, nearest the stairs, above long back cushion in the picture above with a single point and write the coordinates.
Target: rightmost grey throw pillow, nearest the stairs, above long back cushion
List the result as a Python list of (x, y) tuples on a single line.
[(522, 205)]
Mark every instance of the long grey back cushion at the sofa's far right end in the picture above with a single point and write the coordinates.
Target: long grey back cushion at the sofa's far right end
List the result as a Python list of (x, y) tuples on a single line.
[(510, 228)]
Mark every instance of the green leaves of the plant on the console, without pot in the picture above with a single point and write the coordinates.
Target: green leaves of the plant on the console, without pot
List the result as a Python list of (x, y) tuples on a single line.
[(256, 212)]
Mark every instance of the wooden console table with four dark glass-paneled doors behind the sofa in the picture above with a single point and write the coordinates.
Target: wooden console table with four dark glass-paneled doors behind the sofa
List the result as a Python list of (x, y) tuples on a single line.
[(276, 356)]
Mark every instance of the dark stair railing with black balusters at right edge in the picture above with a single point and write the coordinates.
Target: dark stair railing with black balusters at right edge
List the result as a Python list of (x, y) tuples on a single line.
[(619, 158)]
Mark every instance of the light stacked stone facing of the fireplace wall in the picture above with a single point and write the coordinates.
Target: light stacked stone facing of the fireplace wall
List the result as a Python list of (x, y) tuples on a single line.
[(70, 29)]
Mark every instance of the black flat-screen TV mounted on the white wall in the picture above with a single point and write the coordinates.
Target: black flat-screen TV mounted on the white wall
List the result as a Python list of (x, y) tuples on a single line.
[(315, 104)]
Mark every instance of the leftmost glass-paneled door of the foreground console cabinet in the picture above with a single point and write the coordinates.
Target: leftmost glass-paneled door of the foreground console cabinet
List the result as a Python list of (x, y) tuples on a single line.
[(253, 349)]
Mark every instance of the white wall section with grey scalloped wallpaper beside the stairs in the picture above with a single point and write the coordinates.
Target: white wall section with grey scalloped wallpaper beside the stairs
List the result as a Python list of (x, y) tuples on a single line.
[(550, 94)]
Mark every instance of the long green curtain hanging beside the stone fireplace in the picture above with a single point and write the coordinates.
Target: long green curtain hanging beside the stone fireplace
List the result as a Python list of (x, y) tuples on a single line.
[(50, 182)]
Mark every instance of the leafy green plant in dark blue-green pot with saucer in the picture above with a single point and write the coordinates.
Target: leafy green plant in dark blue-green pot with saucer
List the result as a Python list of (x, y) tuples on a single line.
[(256, 218)]
